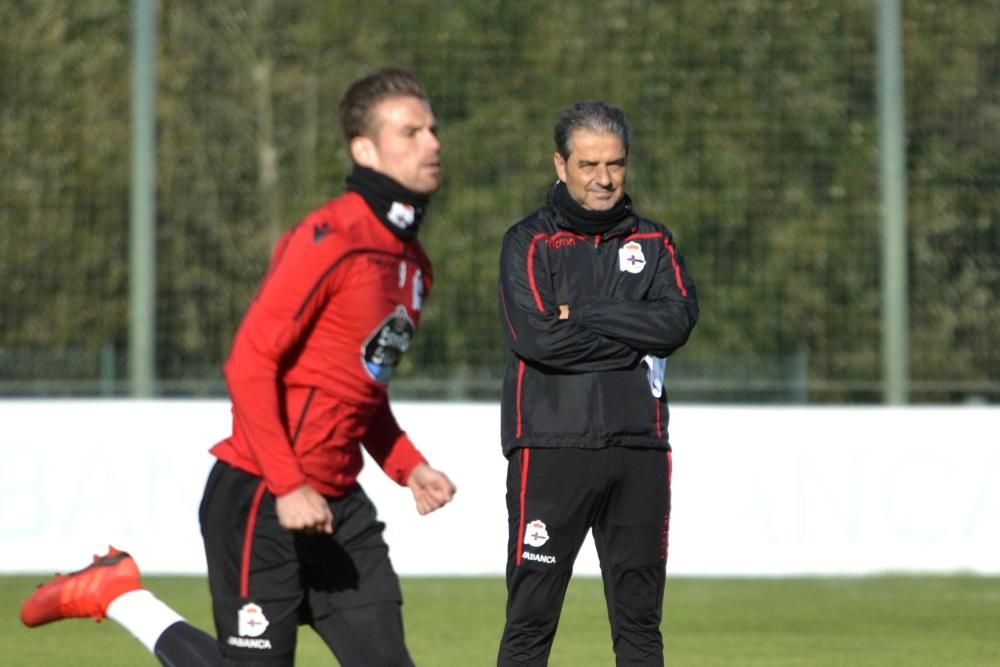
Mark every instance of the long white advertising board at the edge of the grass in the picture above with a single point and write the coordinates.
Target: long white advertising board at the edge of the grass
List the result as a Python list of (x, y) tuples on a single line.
[(757, 491)]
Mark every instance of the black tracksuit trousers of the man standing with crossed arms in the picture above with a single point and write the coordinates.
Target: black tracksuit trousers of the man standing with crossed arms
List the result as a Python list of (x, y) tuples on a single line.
[(554, 496)]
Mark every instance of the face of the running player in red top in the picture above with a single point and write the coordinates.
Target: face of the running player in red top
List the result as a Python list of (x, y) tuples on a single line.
[(402, 143)]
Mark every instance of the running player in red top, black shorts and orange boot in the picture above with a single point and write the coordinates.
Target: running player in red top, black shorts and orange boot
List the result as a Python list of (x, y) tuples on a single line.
[(290, 536)]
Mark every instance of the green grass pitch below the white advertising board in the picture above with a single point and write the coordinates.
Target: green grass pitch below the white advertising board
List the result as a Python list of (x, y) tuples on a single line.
[(891, 620)]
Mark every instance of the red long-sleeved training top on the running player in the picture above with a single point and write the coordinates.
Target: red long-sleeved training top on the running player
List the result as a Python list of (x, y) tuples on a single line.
[(311, 361)]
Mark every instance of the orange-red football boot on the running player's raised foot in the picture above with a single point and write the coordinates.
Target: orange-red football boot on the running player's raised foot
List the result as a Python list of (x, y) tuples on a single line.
[(87, 592)]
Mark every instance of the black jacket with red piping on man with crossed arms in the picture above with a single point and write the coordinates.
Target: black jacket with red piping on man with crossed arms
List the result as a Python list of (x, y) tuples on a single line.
[(581, 382)]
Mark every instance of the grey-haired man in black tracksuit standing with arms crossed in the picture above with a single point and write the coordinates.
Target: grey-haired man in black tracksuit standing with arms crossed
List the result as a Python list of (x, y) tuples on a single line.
[(593, 298)]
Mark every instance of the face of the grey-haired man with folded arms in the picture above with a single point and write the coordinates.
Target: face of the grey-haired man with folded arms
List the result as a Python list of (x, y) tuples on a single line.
[(594, 172)]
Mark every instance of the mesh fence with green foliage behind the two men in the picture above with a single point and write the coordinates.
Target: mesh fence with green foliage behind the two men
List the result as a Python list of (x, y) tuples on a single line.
[(755, 141)]
